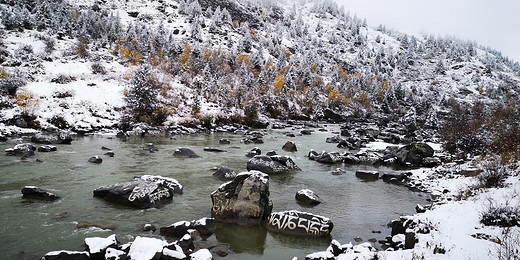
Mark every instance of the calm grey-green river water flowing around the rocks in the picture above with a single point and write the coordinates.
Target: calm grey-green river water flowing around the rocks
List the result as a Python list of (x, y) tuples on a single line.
[(30, 228)]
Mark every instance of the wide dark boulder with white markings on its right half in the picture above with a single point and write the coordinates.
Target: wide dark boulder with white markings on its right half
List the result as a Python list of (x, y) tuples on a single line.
[(146, 191)]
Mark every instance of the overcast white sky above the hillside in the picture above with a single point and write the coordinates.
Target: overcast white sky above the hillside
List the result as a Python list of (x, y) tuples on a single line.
[(493, 23)]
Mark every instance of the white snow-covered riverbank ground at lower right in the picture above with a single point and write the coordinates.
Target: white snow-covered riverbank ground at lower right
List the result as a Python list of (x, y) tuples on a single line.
[(453, 221)]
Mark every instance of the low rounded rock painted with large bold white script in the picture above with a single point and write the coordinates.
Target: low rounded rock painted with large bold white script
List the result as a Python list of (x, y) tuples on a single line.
[(299, 223)]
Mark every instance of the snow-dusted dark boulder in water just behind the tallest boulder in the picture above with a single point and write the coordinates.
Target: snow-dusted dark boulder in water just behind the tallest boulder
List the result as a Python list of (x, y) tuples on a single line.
[(272, 164)]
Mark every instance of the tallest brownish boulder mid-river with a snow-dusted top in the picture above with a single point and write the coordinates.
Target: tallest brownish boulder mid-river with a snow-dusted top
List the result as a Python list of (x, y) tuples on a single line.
[(243, 201)]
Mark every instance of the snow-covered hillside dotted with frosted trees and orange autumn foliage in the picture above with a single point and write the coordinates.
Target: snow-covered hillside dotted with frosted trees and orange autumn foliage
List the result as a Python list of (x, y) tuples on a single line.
[(290, 60)]
